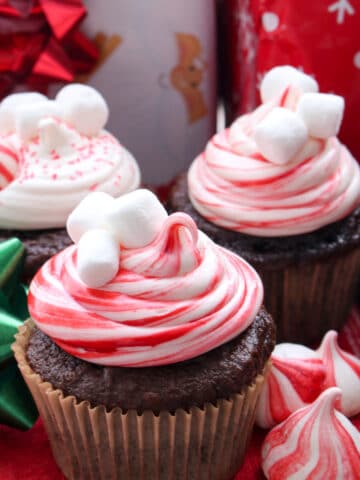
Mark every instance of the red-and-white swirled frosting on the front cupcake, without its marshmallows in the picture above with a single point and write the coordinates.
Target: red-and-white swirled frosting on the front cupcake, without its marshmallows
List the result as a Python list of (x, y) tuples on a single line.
[(172, 300)]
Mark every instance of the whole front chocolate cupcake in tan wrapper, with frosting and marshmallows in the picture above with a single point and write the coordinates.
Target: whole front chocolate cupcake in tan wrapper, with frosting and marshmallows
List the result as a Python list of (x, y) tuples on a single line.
[(147, 347)]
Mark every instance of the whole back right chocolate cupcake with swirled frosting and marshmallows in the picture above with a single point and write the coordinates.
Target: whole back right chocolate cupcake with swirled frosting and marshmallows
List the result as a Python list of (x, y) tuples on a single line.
[(280, 190)]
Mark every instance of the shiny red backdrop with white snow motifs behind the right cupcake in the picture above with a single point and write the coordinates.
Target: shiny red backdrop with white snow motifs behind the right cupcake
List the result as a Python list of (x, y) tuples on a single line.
[(320, 37)]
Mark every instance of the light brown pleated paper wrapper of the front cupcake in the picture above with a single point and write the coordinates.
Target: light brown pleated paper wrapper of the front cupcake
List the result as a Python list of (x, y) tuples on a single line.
[(95, 444)]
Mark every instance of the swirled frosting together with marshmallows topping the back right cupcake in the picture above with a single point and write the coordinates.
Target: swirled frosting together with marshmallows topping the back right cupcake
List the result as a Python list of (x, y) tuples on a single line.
[(279, 170)]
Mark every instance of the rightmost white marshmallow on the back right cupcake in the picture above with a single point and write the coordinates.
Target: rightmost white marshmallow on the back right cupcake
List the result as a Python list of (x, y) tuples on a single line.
[(322, 113)]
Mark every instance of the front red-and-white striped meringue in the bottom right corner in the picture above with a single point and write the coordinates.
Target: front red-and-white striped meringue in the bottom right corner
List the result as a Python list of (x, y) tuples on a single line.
[(315, 442)]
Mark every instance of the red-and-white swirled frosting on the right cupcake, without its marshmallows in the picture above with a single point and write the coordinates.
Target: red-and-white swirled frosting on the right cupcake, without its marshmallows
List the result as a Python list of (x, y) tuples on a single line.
[(232, 185)]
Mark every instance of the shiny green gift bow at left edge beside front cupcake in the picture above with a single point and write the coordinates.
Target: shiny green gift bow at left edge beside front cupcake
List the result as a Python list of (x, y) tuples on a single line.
[(17, 408)]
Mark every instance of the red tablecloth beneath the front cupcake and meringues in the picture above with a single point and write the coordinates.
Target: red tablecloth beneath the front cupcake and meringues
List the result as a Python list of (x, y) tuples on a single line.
[(27, 455)]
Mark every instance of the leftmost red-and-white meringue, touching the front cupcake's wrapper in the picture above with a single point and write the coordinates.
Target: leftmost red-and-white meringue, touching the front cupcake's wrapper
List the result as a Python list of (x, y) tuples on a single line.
[(296, 378)]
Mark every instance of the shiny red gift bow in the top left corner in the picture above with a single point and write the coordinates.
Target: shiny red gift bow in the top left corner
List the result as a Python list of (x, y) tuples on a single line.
[(40, 43)]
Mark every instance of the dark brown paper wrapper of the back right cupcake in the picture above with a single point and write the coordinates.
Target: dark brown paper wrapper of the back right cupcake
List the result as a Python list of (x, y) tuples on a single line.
[(308, 299)]
